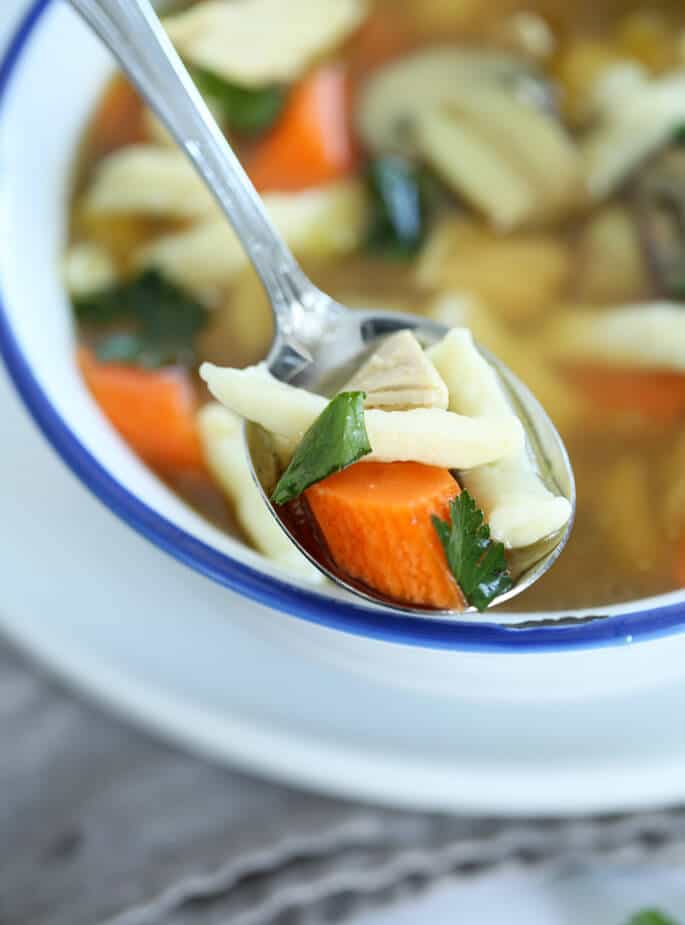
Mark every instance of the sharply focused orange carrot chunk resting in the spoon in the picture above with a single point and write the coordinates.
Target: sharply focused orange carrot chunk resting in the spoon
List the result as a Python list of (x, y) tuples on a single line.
[(376, 521)]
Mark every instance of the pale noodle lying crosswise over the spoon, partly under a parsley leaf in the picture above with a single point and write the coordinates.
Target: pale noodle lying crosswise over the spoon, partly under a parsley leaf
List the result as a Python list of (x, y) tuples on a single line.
[(425, 435)]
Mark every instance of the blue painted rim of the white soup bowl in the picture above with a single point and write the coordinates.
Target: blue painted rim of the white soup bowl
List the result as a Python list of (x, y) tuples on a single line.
[(261, 587)]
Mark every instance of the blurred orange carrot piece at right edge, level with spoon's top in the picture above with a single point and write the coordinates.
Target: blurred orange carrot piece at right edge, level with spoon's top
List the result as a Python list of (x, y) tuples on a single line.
[(658, 396)]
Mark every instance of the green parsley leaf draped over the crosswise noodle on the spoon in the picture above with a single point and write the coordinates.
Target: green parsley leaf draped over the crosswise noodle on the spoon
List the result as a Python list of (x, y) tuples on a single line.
[(336, 439)]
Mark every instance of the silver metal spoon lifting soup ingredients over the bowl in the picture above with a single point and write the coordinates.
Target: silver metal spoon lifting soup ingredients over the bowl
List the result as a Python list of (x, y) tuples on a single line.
[(314, 334)]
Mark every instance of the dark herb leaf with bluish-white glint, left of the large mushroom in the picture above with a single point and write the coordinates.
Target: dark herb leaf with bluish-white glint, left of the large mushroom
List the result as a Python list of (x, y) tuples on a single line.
[(402, 195)]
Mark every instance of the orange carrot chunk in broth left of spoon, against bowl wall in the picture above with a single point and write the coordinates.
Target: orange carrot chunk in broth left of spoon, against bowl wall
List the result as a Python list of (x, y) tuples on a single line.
[(153, 410)]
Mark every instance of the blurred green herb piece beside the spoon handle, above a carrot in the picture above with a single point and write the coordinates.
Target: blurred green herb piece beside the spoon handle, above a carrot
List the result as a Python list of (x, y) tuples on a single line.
[(248, 110)]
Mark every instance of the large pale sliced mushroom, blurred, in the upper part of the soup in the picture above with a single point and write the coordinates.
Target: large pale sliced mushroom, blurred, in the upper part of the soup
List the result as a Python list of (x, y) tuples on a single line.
[(485, 121)]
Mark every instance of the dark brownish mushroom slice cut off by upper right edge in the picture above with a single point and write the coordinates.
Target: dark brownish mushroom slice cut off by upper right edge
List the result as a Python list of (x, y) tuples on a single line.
[(660, 205)]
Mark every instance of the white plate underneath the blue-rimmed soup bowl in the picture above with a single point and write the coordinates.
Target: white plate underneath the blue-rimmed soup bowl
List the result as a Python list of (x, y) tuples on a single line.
[(170, 649)]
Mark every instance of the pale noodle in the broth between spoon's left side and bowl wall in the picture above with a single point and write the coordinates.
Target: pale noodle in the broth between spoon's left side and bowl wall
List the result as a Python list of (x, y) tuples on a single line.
[(221, 433)]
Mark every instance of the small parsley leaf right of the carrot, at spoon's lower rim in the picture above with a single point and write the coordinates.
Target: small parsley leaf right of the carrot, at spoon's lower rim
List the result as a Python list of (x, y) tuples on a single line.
[(477, 562)]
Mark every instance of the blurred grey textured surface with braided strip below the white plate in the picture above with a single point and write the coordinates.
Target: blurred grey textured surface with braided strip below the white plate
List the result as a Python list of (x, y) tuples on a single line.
[(101, 825)]
